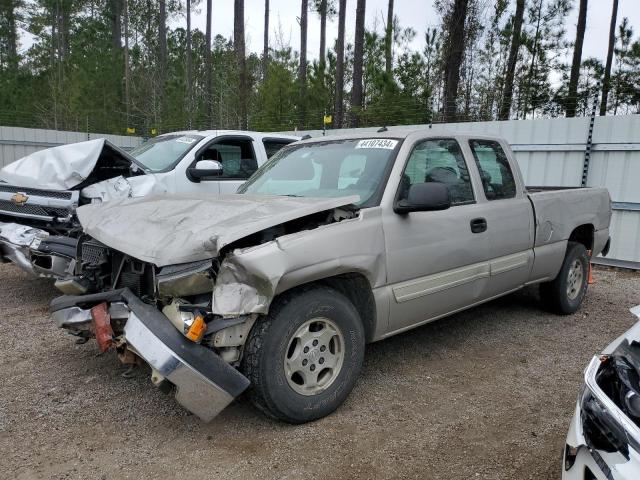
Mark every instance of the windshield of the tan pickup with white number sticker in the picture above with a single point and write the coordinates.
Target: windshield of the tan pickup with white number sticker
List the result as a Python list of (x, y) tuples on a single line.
[(335, 168)]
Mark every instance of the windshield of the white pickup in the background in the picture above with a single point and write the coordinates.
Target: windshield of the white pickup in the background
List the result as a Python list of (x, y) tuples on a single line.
[(164, 153)]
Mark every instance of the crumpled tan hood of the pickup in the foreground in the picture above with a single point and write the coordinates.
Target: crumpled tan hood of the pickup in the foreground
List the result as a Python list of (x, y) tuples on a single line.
[(166, 230)]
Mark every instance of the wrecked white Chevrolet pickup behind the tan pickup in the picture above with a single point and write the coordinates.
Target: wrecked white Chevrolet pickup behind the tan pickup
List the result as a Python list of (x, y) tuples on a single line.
[(40, 192)]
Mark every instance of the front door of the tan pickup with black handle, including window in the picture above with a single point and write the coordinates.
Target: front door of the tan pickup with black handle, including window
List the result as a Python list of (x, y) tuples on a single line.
[(437, 261)]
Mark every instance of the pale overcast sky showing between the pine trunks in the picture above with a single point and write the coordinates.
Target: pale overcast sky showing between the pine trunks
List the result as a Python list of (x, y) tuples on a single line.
[(419, 15)]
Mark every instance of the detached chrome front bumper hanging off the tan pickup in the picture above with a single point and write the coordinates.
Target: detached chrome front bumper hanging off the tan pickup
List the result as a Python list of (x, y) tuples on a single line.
[(204, 383)]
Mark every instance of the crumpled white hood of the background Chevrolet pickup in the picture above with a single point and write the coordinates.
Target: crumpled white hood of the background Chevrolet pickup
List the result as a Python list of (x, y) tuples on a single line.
[(58, 168)]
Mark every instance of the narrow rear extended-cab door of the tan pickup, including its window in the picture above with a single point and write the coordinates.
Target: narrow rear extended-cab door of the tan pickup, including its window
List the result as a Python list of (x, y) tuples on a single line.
[(509, 216)]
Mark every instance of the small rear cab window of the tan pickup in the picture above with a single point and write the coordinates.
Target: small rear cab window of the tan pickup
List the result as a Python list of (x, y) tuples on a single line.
[(495, 172)]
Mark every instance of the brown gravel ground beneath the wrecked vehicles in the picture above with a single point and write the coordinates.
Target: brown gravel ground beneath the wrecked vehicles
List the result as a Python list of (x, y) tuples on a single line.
[(487, 393)]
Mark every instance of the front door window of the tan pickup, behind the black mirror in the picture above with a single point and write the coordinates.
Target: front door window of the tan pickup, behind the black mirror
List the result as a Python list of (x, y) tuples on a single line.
[(438, 160)]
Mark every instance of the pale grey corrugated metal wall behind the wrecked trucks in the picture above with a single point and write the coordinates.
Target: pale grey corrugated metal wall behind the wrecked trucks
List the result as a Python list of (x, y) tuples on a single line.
[(549, 151)]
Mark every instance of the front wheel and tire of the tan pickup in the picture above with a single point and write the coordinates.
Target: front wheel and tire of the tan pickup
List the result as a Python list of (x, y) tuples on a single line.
[(275, 348)]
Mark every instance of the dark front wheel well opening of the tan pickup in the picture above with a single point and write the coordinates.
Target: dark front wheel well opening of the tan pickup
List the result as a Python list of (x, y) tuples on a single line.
[(357, 289)]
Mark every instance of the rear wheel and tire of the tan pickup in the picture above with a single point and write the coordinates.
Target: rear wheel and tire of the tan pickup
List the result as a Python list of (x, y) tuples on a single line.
[(565, 293)]
